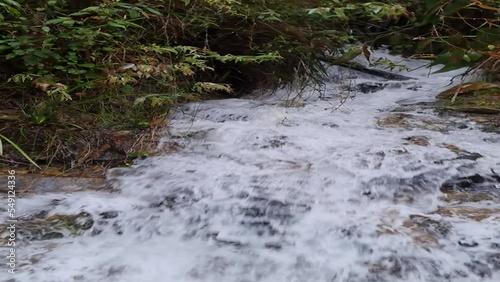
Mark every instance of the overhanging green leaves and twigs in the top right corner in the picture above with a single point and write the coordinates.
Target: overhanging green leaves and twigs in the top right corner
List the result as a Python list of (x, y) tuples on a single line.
[(456, 34)]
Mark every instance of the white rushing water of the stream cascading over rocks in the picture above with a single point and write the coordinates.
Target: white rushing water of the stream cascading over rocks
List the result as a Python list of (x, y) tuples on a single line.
[(252, 190)]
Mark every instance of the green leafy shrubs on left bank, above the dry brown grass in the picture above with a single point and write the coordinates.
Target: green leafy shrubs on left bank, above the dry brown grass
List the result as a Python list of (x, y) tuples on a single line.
[(157, 53)]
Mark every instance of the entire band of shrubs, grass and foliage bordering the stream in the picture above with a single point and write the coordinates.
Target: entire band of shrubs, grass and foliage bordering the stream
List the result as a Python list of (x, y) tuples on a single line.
[(88, 83)]
